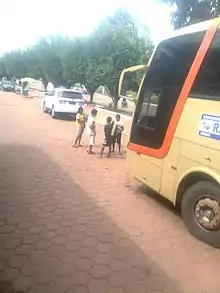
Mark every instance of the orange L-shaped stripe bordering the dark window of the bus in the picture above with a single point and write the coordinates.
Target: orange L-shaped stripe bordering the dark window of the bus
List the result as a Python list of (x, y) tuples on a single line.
[(162, 152)]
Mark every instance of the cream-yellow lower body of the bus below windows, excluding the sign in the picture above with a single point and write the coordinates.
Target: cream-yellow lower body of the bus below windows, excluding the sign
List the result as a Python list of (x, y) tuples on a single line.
[(189, 152)]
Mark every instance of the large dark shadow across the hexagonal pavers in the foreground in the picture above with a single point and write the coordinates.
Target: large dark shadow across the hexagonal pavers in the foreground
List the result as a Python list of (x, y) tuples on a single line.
[(54, 237)]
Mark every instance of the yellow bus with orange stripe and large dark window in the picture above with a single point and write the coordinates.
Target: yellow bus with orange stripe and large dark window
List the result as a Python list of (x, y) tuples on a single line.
[(174, 143)]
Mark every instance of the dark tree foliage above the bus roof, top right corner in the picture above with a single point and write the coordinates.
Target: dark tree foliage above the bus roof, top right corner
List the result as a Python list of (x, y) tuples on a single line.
[(193, 11)]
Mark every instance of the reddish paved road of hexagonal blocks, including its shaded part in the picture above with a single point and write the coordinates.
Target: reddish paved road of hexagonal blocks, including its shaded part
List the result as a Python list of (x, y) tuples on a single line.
[(74, 223)]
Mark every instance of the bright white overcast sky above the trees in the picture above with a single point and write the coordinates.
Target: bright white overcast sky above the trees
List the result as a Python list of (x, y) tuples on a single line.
[(24, 22)]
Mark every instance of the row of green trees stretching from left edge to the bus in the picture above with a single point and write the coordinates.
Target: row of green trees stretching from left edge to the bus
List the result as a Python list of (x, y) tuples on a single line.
[(95, 60)]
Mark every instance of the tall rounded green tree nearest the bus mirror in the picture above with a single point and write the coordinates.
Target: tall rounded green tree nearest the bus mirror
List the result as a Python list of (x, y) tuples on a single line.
[(120, 46)]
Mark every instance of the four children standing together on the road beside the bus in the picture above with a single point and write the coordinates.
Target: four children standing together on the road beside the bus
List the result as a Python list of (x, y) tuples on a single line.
[(112, 132)]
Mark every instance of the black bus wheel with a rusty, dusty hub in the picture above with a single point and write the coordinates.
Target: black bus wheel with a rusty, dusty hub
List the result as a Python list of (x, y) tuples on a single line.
[(200, 210)]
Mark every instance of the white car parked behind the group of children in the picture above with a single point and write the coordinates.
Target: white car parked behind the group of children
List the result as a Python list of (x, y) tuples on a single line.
[(63, 101)]
